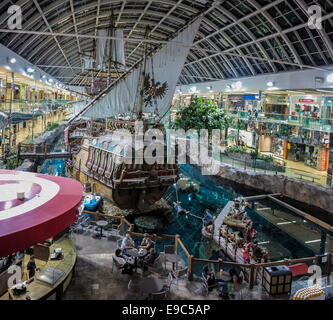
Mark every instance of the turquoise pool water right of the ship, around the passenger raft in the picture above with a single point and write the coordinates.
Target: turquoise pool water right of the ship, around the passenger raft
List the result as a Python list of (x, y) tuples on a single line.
[(272, 234)]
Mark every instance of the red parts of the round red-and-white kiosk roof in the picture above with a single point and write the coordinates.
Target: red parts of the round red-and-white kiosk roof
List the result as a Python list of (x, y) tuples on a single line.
[(24, 230)]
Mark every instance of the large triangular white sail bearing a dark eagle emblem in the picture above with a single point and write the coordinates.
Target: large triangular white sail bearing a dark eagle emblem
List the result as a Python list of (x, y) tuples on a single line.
[(167, 64)]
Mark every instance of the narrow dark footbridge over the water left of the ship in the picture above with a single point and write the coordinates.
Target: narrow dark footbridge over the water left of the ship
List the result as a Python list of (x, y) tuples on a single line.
[(40, 151)]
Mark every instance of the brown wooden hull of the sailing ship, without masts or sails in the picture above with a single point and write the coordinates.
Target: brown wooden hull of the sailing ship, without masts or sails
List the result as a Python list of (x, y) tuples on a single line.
[(129, 186)]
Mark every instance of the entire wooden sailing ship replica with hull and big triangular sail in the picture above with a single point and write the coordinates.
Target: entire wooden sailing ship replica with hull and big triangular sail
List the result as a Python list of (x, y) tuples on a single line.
[(141, 95)]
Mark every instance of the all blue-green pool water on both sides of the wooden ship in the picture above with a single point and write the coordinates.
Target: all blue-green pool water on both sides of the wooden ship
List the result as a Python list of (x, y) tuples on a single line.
[(213, 195)]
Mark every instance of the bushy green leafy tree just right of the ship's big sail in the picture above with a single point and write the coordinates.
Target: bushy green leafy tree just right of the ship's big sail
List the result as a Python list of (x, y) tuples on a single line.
[(201, 115)]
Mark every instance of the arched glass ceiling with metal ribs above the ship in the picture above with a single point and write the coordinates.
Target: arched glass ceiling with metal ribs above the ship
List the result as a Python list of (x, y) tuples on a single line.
[(237, 37)]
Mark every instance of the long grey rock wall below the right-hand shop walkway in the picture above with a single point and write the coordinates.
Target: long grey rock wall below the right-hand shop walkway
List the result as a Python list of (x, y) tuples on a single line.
[(302, 191)]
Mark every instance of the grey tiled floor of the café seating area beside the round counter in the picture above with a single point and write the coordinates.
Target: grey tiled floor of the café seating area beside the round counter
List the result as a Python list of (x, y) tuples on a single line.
[(95, 280)]
